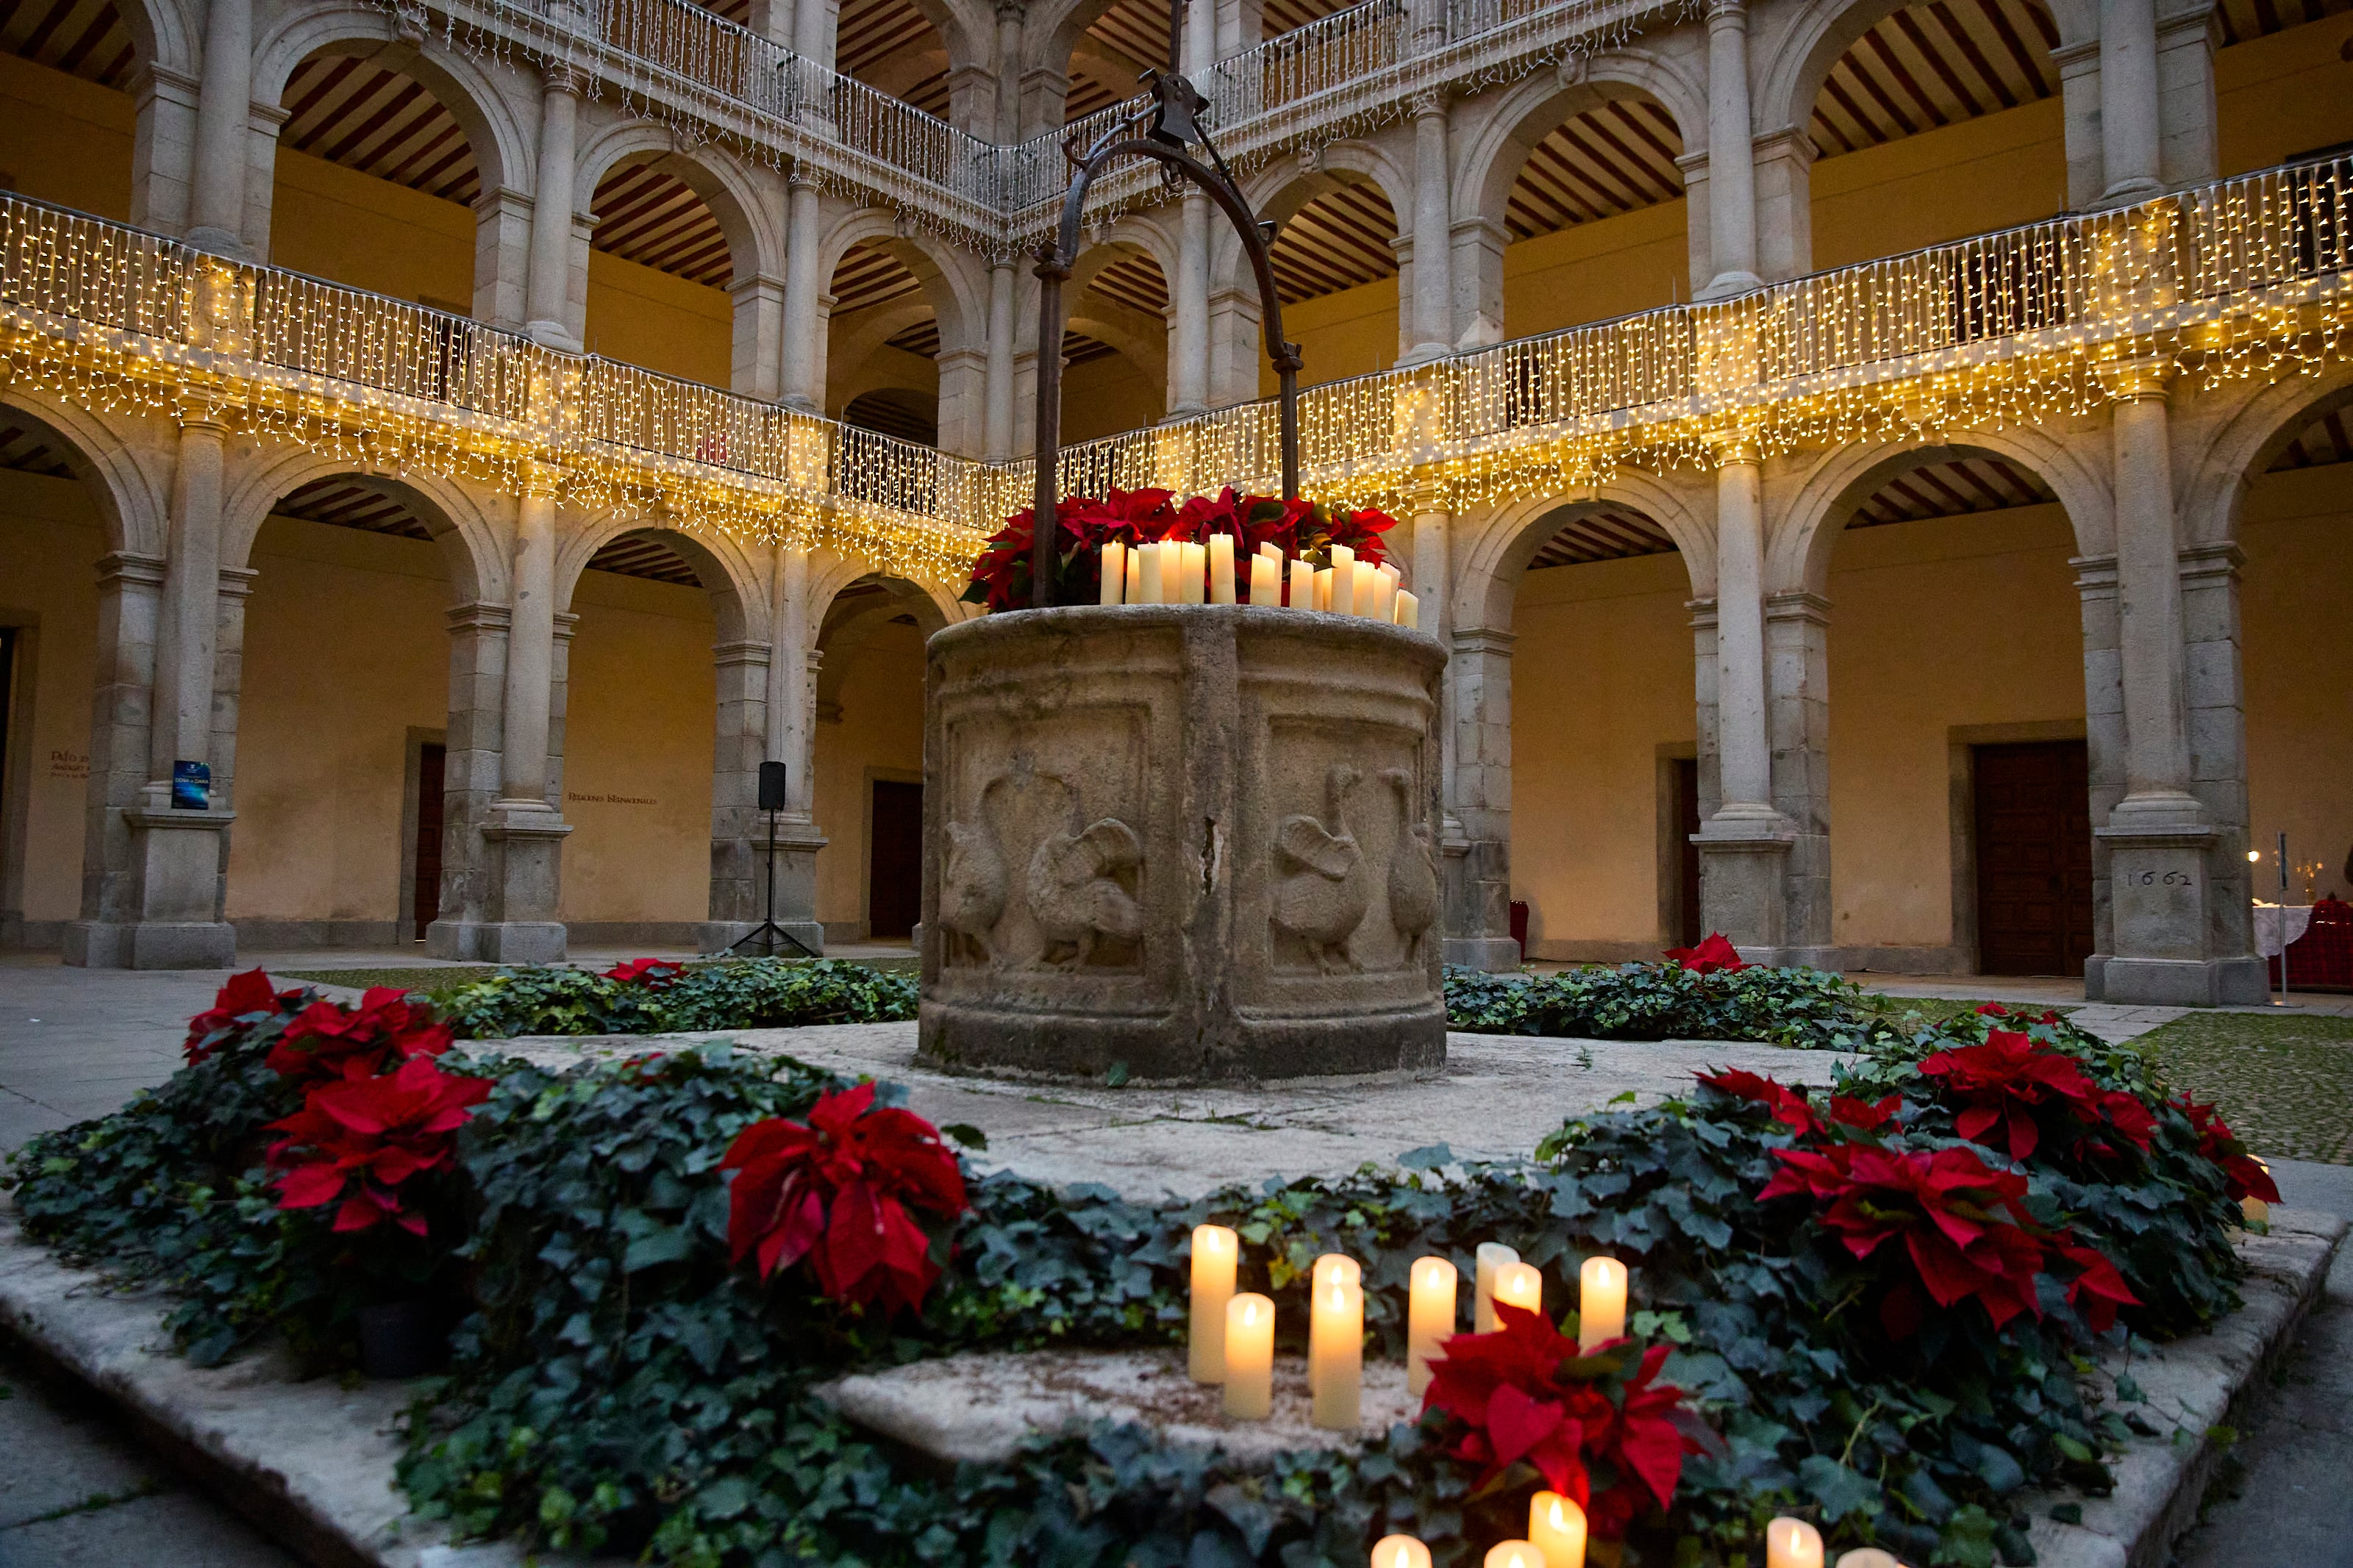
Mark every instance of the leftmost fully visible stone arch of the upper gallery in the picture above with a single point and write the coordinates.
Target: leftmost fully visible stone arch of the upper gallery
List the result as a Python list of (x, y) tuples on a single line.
[(498, 123)]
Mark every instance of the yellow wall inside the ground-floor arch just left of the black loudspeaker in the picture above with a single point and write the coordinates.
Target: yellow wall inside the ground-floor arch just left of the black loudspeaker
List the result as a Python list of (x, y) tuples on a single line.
[(639, 746)]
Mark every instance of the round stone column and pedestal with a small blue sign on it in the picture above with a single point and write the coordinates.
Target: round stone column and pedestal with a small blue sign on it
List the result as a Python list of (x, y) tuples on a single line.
[(178, 857)]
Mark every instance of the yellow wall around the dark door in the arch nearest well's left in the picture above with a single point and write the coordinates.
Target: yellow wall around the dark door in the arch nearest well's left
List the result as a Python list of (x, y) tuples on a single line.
[(879, 730)]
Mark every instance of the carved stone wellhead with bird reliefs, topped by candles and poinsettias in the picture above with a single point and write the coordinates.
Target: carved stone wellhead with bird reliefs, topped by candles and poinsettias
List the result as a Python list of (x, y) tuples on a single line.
[(1187, 843)]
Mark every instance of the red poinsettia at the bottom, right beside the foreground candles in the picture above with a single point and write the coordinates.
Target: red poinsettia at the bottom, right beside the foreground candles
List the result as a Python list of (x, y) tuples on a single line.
[(1526, 1395)]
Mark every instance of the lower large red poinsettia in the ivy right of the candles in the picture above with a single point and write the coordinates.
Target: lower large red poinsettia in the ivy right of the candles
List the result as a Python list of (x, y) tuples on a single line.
[(1966, 1226)]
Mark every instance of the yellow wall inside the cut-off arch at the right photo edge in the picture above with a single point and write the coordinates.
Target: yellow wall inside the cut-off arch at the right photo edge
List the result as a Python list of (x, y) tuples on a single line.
[(2295, 596)]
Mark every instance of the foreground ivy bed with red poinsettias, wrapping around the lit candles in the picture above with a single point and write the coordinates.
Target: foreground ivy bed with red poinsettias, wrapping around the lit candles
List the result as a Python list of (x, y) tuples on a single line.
[(1869, 1308)]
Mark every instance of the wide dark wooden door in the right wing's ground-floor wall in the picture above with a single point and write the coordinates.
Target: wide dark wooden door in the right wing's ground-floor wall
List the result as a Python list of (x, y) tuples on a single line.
[(2034, 859)]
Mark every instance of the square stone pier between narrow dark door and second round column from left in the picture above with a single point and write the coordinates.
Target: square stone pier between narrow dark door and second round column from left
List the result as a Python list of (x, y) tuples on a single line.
[(469, 777)]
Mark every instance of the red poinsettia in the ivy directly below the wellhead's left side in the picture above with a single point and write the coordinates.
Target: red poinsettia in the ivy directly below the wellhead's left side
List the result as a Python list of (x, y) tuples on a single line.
[(839, 1193)]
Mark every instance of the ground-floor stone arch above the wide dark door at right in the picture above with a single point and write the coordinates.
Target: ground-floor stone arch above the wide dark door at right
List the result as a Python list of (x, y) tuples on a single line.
[(1808, 528)]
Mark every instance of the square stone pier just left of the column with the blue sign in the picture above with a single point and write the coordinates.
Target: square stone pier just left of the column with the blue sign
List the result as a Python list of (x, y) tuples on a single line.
[(131, 591)]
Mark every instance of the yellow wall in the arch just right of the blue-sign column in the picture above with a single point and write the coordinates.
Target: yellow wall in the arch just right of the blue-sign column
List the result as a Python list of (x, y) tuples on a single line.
[(345, 652)]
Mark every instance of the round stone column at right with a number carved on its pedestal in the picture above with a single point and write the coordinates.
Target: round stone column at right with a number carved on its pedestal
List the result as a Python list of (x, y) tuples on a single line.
[(2161, 843)]
